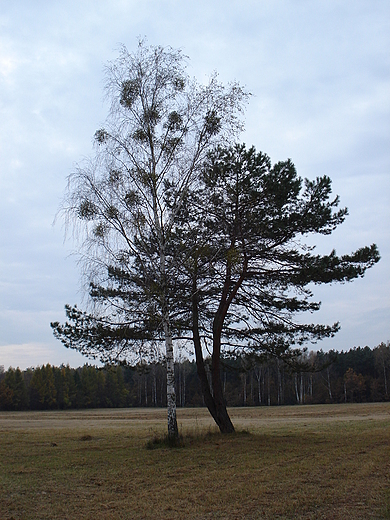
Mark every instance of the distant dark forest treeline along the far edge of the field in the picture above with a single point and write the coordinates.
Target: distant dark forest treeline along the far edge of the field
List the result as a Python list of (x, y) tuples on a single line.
[(359, 375)]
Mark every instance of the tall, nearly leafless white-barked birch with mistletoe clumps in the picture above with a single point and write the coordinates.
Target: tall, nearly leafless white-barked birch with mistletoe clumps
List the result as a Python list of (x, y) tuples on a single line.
[(123, 205)]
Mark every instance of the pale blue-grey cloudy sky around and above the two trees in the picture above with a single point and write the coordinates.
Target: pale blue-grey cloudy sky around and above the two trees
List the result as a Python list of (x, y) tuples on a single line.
[(319, 74)]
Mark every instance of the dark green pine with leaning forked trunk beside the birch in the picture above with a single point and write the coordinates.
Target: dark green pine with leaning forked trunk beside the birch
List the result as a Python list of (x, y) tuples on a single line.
[(246, 268)]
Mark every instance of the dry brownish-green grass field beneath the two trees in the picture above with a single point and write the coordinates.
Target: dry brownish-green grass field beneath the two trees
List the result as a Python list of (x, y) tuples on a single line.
[(309, 462)]
